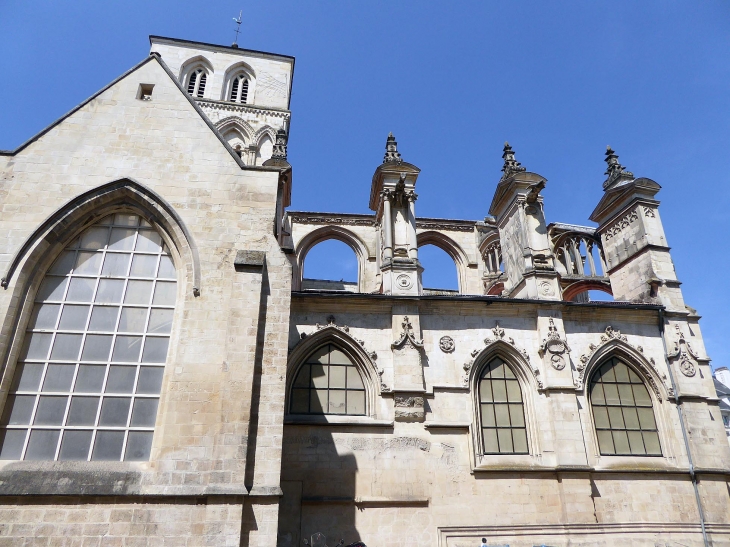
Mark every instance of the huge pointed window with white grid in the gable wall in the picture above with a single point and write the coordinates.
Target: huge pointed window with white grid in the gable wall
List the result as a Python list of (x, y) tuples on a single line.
[(87, 384)]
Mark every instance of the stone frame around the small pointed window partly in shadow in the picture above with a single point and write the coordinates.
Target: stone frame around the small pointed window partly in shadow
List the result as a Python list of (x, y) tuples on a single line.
[(343, 341)]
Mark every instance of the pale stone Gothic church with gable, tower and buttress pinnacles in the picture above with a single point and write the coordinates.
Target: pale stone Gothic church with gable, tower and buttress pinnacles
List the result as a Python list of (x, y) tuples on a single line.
[(168, 376)]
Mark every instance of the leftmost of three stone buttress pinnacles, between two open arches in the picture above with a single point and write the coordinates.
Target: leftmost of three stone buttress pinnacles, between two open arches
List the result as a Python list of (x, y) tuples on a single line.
[(393, 198)]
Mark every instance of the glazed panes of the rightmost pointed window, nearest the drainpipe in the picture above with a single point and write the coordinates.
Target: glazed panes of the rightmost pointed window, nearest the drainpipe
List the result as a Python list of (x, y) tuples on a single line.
[(622, 412)]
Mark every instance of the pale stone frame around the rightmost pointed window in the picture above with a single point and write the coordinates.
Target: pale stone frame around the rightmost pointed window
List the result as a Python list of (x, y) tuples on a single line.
[(661, 405)]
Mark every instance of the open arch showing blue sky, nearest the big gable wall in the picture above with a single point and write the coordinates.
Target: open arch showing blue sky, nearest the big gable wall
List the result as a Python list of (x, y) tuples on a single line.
[(330, 265)]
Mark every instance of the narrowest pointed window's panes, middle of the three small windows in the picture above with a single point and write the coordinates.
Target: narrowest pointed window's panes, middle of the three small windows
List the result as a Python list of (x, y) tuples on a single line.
[(502, 412)]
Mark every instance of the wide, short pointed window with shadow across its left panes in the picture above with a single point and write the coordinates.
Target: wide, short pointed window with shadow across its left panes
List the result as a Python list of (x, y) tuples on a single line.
[(328, 383)]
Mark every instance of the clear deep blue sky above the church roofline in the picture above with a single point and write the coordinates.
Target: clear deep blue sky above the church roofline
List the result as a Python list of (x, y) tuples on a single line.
[(453, 81)]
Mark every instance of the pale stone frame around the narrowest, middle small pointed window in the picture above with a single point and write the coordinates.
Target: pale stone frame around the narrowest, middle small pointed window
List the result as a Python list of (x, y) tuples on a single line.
[(529, 387)]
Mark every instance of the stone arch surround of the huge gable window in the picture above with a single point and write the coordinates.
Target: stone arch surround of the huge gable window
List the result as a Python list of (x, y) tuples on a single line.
[(45, 253)]
